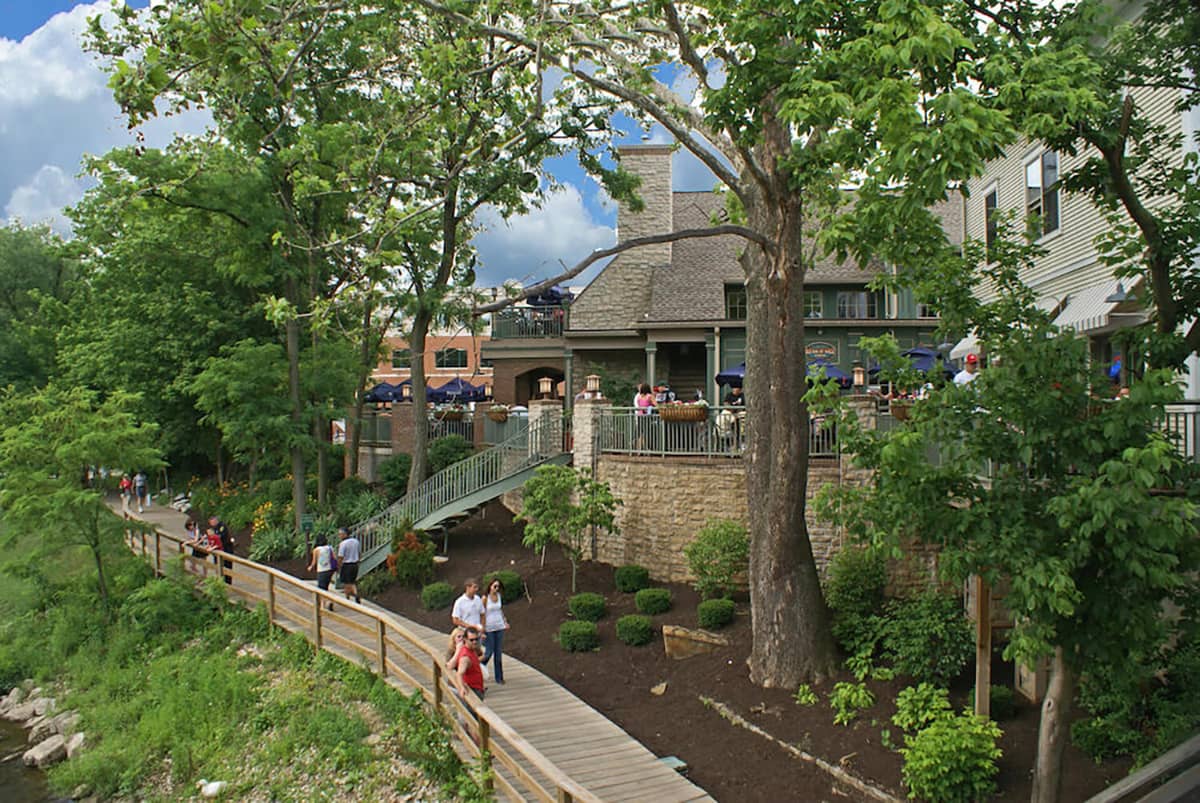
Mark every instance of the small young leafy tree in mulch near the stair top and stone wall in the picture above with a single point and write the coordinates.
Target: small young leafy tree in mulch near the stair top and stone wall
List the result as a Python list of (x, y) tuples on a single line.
[(561, 507)]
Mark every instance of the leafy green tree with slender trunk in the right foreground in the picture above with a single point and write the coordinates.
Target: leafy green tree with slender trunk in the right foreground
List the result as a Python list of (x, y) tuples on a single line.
[(1071, 496)]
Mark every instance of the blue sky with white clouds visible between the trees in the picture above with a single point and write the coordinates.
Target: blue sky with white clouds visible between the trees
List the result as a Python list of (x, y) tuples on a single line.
[(56, 107)]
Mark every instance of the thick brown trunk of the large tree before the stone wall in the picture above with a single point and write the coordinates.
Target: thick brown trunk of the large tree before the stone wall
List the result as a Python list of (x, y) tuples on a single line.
[(793, 643)]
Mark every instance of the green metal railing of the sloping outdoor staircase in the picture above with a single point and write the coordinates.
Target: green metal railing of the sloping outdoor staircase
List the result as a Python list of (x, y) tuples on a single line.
[(530, 447)]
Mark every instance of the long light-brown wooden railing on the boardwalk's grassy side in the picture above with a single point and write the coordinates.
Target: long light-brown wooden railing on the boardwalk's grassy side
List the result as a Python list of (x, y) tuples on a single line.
[(519, 771)]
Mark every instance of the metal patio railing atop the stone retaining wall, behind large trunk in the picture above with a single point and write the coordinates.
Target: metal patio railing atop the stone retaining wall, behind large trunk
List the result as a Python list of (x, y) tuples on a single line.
[(722, 434)]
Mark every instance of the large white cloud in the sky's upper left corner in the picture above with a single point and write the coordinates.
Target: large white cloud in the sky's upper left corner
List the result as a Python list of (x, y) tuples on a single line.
[(56, 107)]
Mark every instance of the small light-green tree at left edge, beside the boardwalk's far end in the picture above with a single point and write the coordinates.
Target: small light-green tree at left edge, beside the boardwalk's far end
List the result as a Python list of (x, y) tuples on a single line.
[(53, 441)]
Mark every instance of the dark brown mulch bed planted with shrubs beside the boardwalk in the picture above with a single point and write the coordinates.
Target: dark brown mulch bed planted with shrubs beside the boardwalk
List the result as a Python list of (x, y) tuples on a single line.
[(728, 762)]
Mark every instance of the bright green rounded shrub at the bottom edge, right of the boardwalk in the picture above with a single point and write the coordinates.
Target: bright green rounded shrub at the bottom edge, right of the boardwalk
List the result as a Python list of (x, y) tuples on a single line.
[(953, 760)]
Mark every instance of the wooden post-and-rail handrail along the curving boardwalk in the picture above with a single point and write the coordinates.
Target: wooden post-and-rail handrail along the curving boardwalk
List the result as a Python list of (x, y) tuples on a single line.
[(478, 738)]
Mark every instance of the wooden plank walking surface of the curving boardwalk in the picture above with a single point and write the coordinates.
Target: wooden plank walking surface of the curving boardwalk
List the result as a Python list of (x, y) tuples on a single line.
[(580, 742)]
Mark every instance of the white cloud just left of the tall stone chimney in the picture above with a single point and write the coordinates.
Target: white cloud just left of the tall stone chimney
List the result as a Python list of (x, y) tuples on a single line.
[(535, 247)]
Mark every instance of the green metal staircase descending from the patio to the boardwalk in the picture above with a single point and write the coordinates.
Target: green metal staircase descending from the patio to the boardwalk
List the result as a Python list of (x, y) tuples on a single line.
[(464, 487)]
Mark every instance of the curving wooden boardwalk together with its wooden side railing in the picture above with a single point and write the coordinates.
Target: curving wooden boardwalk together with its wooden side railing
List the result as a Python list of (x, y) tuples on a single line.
[(545, 742)]
